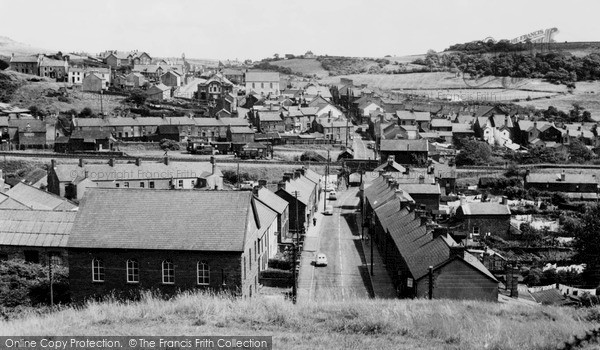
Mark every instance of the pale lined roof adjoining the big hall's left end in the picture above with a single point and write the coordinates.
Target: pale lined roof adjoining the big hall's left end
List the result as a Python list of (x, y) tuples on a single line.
[(35, 228)]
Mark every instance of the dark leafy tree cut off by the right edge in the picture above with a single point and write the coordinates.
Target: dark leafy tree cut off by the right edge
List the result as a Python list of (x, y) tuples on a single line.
[(587, 244)]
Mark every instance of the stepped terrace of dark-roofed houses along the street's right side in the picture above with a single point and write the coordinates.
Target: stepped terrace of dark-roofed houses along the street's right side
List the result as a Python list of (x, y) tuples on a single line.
[(419, 256)]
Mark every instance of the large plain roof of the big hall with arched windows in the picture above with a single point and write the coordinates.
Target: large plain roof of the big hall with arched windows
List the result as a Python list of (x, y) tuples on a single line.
[(139, 219)]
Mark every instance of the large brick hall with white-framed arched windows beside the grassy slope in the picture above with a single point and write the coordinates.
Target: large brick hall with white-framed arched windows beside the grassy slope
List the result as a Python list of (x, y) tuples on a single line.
[(126, 241)]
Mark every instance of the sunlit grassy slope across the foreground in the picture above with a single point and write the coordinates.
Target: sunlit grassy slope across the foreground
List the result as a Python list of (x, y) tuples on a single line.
[(328, 324)]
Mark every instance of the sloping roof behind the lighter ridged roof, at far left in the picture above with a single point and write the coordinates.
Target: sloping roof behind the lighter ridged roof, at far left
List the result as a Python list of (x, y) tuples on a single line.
[(39, 199)]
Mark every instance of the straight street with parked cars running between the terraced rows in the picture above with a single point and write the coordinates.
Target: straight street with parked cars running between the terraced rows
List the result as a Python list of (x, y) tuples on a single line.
[(346, 275)]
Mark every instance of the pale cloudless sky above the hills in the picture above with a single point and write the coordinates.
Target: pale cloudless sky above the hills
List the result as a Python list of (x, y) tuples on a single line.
[(255, 29)]
